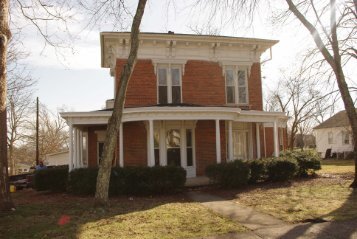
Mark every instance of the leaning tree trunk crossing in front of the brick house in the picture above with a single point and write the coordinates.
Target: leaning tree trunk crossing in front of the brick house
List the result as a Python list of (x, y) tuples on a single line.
[(101, 194)]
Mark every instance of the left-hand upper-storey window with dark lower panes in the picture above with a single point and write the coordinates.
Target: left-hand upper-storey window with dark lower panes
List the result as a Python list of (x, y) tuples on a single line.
[(169, 84)]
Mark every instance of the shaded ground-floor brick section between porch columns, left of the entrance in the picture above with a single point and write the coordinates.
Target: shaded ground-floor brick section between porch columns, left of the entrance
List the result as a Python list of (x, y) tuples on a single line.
[(134, 143)]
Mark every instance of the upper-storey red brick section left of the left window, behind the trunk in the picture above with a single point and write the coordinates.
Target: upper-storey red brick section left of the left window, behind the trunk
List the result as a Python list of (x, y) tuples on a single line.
[(142, 89)]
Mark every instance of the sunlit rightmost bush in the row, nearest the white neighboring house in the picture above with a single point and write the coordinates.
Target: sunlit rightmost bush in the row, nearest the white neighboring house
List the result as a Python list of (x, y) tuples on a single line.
[(308, 161)]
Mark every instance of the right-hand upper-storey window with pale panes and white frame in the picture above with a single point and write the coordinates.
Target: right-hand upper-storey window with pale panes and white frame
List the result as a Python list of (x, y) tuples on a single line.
[(236, 86)]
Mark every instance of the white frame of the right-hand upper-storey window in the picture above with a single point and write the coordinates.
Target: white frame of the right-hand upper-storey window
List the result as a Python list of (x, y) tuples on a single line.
[(235, 70)]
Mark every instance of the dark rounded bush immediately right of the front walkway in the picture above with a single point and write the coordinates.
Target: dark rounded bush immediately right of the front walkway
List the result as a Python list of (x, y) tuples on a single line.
[(229, 175)]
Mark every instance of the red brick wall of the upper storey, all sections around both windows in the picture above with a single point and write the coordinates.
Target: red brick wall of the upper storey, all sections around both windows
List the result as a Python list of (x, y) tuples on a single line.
[(202, 84)]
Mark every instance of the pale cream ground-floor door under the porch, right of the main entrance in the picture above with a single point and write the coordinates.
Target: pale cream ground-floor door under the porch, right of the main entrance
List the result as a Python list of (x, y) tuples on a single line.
[(240, 144)]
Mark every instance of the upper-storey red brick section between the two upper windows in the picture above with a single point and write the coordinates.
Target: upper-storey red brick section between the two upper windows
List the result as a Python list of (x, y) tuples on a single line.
[(203, 83)]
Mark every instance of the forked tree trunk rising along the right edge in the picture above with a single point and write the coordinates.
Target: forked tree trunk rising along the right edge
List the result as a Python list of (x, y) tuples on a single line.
[(335, 62)]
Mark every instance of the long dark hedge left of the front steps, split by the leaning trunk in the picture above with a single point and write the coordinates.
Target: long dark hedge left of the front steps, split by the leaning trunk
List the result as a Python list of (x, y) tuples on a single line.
[(130, 180)]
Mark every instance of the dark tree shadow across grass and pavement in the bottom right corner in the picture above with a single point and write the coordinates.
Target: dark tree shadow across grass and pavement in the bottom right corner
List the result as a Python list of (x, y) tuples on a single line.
[(332, 229)]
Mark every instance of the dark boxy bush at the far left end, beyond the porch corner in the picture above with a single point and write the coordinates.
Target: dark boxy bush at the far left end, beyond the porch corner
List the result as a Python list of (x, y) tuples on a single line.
[(51, 179)]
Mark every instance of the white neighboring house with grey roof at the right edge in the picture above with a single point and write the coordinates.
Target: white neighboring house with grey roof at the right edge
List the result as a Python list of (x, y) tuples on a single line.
[(335, 134)]
